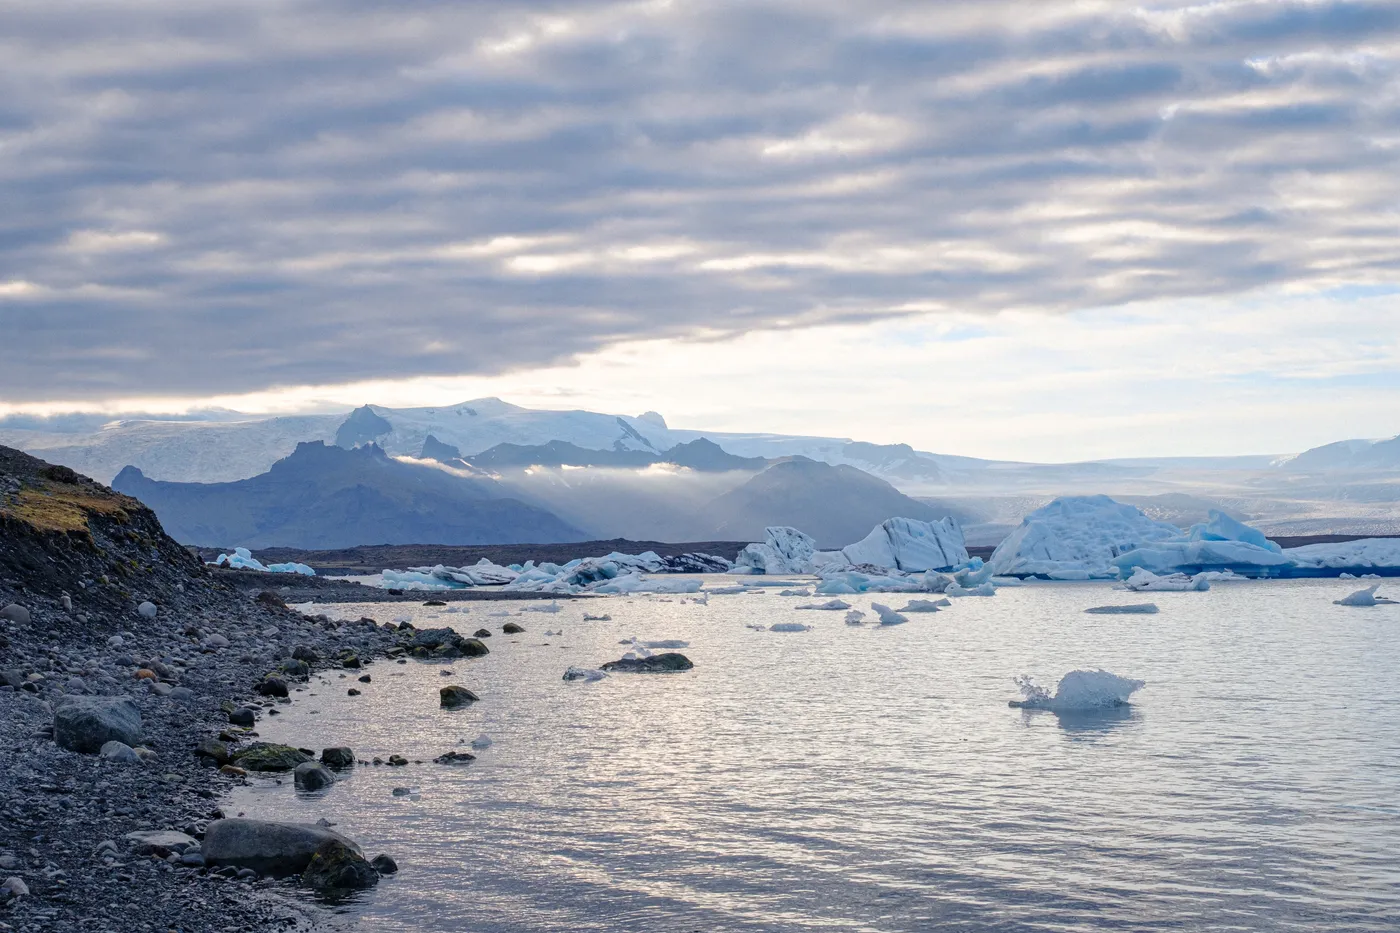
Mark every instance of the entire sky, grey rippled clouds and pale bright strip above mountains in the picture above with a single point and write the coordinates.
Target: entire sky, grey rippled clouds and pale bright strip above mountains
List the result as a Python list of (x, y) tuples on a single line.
[(1024, 230)]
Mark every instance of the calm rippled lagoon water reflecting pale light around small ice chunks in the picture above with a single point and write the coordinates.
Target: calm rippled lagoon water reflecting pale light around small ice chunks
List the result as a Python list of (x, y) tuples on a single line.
[(874, 778)]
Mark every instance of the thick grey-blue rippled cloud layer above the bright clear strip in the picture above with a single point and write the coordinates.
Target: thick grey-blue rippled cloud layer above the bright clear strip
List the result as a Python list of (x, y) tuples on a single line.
[(229, 197)]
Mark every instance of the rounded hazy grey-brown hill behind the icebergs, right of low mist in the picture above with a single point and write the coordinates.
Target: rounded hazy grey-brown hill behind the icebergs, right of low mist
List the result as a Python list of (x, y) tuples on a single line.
[(835, 505)]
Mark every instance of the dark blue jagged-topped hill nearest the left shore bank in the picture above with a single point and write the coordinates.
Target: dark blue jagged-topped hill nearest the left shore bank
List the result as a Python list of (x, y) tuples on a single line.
[(334, 498)]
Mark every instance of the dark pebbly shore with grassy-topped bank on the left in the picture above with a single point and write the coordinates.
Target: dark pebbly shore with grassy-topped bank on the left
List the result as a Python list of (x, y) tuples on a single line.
[(101, 611)]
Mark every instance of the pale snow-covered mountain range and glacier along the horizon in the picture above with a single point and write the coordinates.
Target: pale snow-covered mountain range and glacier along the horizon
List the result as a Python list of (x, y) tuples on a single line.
[(618, 476)]
